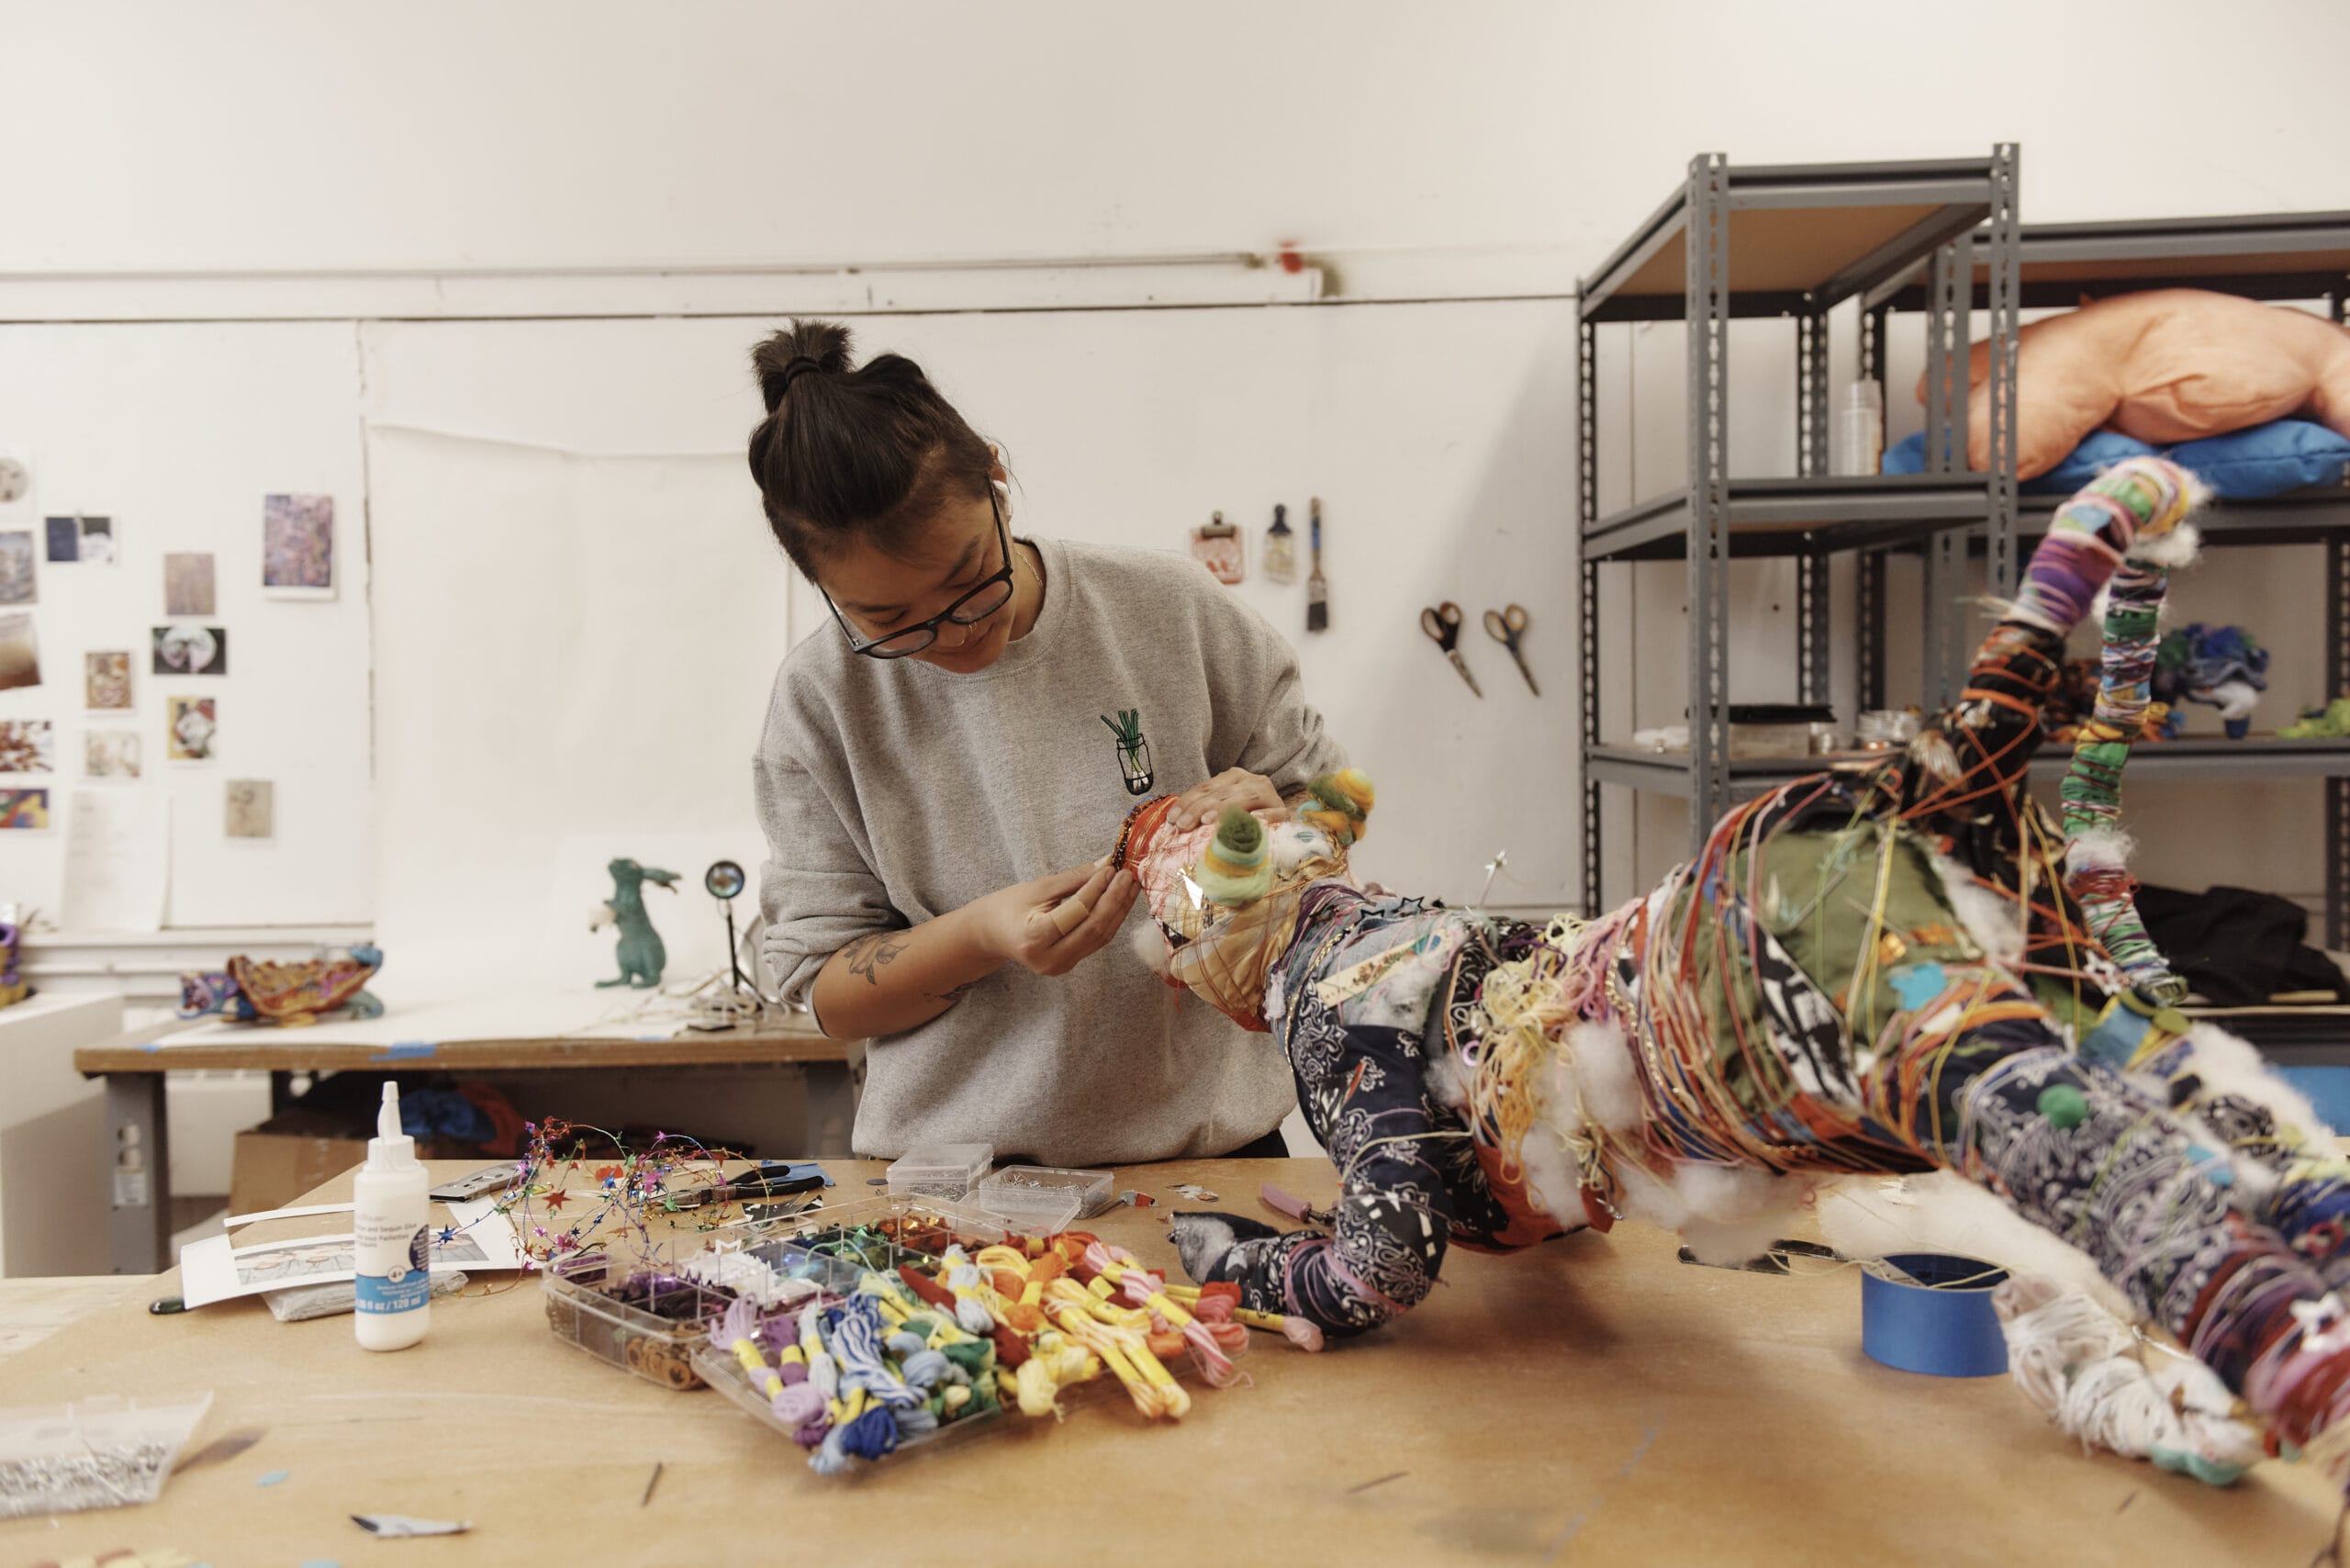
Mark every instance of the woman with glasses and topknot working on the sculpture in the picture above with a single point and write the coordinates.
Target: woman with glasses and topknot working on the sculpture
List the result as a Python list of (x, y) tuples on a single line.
[(941, 768)]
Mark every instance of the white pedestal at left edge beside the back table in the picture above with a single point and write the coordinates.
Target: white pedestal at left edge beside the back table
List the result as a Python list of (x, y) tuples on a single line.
[(53, 1137)]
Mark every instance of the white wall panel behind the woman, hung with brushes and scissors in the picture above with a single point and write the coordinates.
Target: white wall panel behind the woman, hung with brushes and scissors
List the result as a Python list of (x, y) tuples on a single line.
[(582, 608)]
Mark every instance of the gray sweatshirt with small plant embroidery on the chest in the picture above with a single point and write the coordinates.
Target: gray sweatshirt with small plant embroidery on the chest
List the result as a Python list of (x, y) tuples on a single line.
[(894, 793)]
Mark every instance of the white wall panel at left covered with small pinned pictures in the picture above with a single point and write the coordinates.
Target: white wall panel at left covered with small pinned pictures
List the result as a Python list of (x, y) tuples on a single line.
[(177, 434)]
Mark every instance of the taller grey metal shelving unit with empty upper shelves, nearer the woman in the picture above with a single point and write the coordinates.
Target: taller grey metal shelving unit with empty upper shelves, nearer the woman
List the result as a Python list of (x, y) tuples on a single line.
[(1792, 243)]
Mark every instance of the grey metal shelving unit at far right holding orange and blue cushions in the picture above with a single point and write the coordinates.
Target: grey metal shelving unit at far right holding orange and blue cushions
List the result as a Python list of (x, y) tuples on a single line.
[(2269, 257)]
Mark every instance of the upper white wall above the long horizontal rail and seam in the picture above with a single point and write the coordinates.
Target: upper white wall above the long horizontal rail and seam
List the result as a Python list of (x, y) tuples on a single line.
[(1409, 149)]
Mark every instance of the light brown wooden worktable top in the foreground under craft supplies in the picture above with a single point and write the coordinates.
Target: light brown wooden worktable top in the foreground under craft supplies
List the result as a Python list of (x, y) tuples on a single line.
[(1590, 1402)]
